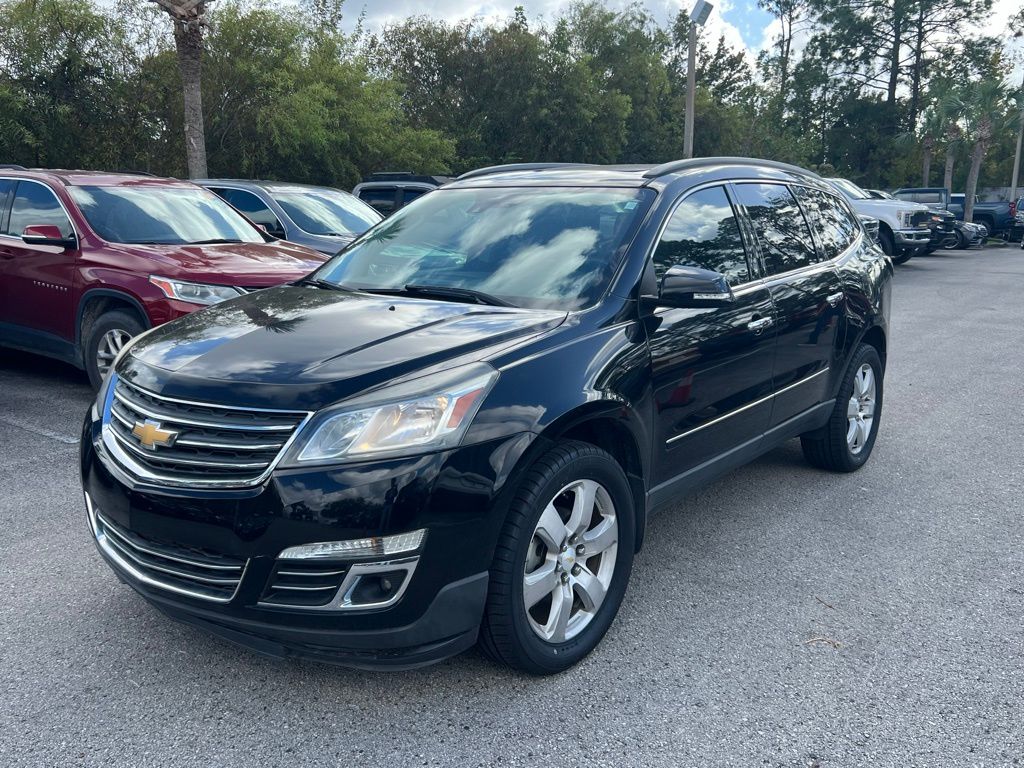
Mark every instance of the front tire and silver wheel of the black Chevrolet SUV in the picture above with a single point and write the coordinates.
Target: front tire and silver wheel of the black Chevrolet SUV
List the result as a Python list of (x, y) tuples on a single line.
[(563, 562)]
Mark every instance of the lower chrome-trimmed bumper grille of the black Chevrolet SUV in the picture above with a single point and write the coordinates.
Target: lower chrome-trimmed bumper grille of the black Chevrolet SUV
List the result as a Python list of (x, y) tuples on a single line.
[(186, 571)]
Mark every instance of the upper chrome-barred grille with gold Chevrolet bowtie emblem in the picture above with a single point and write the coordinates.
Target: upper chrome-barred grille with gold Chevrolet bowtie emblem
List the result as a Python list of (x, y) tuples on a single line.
[(212, 445)]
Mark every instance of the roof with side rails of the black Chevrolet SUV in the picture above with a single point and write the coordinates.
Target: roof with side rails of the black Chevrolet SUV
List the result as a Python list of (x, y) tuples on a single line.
[(574, 175)]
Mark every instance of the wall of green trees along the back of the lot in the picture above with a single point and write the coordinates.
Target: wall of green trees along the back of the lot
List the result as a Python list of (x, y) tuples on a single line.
[(865, 89)]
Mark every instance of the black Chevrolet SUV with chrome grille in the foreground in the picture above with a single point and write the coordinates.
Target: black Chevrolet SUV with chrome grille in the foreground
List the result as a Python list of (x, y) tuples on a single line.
[(457, 429)]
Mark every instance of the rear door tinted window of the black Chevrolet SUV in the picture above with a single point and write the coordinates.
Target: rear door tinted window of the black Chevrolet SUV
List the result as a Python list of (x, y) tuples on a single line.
[(786, 241)]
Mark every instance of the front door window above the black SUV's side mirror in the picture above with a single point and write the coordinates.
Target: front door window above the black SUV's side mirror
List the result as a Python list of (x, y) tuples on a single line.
[(703, 232)]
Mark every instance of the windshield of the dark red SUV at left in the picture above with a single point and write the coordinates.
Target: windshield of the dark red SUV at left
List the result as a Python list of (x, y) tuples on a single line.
[(162, 216)]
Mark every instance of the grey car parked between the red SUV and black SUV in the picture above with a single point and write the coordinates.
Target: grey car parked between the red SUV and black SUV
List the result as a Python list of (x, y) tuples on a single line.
[(319, 218)]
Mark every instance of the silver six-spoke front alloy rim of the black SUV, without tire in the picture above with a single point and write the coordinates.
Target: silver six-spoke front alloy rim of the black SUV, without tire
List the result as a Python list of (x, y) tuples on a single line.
[(572, 562)]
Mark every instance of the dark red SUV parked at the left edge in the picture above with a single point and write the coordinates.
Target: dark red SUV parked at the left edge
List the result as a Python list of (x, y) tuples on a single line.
[(88, 261)]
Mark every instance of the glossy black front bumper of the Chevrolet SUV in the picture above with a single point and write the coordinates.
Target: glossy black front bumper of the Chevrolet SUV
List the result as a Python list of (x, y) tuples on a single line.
[(452, 495)]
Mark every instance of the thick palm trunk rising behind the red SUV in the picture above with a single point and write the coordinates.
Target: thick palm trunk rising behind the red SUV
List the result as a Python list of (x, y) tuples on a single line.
[(189, 18)]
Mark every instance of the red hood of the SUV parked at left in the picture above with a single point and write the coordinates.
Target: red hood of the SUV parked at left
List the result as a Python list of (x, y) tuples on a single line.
[(244, 265)]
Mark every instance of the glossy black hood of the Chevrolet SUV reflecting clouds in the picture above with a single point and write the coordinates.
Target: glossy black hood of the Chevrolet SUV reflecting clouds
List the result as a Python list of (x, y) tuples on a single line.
[(313, 347)]
